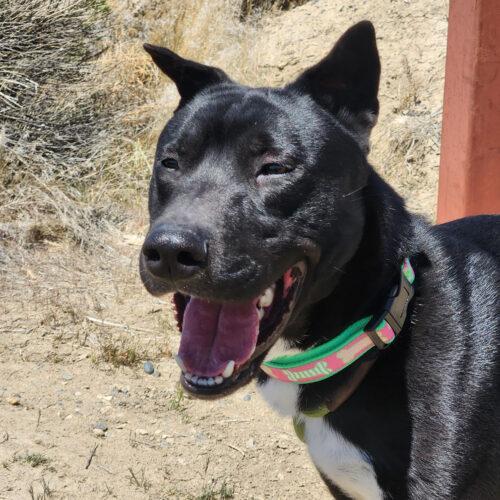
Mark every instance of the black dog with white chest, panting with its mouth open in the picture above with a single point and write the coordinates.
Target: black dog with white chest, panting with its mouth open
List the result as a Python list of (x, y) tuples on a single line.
[(276, 234)]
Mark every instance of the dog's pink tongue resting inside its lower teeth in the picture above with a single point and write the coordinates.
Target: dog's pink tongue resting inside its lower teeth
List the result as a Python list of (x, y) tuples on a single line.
[(214, 334)]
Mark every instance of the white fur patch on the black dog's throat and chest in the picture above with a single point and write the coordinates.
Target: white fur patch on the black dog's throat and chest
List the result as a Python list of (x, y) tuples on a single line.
[(339, 460)]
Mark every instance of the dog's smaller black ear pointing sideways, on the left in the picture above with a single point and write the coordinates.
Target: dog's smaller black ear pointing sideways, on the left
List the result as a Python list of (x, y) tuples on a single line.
[(189, 77)]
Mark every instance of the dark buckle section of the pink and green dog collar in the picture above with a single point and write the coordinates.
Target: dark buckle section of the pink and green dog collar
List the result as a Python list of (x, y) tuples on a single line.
[(394, 313)]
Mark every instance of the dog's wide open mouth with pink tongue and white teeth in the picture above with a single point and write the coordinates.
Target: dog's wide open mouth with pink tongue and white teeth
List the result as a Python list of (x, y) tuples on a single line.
[(223, 344)]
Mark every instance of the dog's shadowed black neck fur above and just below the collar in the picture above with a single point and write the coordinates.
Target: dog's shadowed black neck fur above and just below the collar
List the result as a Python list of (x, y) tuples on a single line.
[(363, 286)]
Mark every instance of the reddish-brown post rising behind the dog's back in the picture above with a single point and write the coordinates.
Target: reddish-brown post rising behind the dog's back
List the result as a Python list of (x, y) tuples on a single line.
[(469, 174)]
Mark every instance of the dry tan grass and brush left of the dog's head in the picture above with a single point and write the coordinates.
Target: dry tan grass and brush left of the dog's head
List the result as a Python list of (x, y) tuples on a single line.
[(81, 105)]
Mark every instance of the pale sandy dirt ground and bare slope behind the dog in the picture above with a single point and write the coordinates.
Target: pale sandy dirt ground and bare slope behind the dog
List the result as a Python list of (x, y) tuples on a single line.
[(79, 416)]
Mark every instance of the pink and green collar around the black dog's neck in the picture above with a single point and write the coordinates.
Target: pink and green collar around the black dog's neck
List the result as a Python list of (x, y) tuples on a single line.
[(330, 358)]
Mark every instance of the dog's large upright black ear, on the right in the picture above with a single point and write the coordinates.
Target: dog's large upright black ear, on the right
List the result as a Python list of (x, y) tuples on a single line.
[(346, 81)]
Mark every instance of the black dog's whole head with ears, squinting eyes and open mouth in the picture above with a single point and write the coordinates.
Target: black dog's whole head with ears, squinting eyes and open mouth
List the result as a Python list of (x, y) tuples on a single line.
[(254, 203)]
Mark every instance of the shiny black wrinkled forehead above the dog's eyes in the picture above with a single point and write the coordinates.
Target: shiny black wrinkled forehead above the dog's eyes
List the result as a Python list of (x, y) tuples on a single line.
[(257, 120)]
